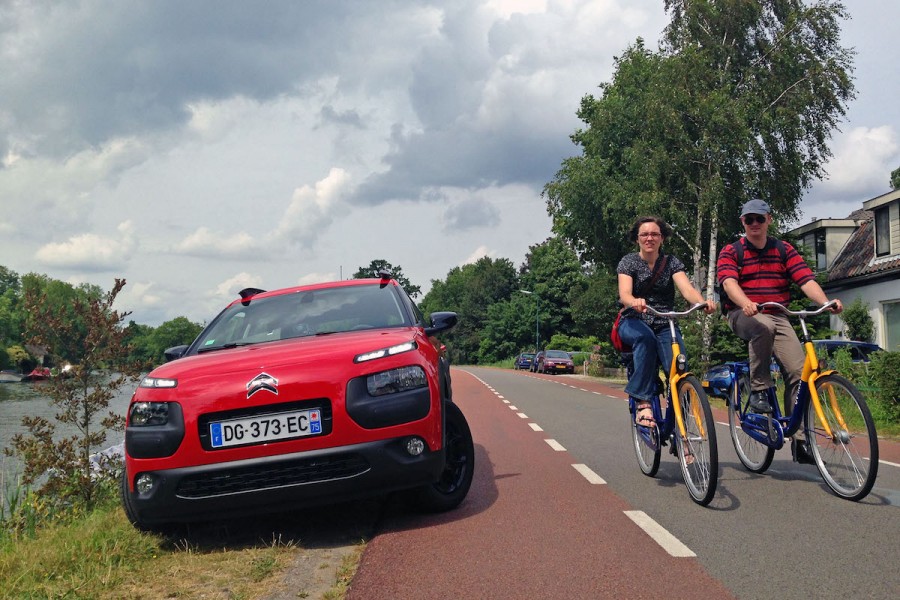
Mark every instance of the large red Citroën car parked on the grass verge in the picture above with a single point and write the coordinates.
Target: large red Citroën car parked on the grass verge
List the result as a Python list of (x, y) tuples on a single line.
[(297, 397)]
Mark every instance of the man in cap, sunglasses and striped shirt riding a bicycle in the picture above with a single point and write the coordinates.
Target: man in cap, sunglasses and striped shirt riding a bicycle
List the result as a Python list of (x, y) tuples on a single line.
[(762, 271)]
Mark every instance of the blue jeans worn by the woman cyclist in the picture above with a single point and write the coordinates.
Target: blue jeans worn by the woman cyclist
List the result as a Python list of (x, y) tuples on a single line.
[(649, 350)]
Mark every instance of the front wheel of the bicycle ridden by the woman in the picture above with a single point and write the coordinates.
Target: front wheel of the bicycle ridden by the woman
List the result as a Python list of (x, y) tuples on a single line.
[(701, 474)]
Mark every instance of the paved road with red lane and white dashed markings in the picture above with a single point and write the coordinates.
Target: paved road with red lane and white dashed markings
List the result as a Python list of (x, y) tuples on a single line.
[(559, 509)]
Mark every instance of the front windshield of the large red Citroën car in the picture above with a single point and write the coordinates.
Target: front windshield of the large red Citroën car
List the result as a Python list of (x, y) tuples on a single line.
[(305, 313)]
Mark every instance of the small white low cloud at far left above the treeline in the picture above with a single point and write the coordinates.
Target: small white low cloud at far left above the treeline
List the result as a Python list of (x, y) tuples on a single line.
[(91, 252)]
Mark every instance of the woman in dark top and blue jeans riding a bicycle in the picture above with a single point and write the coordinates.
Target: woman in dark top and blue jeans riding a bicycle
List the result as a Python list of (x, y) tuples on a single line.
[(649, 336)]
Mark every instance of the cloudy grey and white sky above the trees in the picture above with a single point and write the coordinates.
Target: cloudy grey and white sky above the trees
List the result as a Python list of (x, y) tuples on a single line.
[(196, 148)]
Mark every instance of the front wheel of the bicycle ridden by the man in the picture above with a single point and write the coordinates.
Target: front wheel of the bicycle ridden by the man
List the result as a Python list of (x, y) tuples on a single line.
[(848, 461)]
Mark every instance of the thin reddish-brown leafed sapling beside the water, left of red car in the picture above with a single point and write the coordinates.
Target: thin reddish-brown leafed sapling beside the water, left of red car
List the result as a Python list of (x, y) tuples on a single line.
[(63, 462)]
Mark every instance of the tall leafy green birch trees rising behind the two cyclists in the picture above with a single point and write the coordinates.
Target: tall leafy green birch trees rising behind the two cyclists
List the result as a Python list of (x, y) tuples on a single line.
[(739, 102)]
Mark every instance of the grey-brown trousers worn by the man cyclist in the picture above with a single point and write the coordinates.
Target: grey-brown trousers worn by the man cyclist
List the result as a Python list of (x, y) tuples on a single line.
[(769, 334)]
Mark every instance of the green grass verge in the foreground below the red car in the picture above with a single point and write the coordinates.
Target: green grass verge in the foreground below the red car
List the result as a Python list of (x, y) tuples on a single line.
[(101, 556)]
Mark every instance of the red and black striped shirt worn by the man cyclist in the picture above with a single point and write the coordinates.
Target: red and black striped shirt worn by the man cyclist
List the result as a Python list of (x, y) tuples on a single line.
[(763, 276)]
